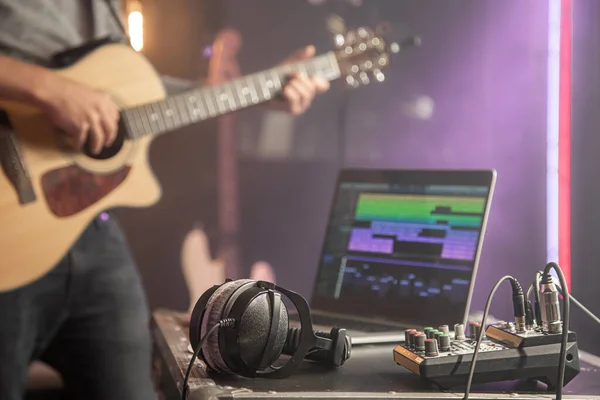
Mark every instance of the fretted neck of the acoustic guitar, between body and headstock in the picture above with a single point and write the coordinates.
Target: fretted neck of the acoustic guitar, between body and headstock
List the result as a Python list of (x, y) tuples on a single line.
[(201, 104)]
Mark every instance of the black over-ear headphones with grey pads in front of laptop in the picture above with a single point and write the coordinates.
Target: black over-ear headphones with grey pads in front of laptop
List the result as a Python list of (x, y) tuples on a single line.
[(257, 332)]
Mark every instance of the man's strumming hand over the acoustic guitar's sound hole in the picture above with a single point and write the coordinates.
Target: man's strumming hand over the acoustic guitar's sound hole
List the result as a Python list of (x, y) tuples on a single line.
[(81, 112)]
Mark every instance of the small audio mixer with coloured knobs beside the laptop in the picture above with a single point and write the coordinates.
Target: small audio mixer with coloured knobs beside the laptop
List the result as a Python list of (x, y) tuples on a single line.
[(444, 358)]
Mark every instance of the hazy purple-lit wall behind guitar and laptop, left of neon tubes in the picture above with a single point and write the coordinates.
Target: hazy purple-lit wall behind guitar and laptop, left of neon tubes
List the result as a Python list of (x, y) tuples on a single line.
[(482, 64)]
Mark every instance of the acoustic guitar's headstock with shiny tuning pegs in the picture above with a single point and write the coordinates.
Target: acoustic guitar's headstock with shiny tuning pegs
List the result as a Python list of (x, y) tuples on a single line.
[(364, 53)]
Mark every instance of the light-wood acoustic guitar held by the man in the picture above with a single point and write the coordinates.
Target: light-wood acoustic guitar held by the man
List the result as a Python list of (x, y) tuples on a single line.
[(49, 192)]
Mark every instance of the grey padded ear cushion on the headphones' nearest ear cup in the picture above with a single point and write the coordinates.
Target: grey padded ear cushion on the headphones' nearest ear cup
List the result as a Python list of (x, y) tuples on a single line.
[(213, 314)]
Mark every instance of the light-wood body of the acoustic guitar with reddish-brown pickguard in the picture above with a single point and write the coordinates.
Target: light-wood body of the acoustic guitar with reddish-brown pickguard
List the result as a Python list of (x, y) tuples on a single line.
[(71, 188)]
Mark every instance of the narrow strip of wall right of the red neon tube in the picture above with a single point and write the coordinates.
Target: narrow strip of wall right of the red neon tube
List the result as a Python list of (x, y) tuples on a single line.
[(585, 186)]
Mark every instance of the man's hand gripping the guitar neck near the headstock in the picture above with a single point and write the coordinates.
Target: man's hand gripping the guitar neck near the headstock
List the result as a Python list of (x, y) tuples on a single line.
[(299, 92)]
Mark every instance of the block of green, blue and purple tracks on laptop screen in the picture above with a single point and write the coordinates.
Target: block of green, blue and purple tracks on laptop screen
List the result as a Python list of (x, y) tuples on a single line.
[(441, 226)]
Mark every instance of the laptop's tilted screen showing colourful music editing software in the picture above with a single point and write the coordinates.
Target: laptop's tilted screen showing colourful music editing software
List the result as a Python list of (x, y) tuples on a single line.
[(403, 245)]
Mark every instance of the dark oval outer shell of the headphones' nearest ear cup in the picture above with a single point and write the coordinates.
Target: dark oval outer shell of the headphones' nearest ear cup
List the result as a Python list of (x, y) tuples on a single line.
[(255, 328)]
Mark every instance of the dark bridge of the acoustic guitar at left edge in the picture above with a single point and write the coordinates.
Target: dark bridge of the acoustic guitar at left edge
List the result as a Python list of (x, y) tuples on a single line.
[(13, 166)]
